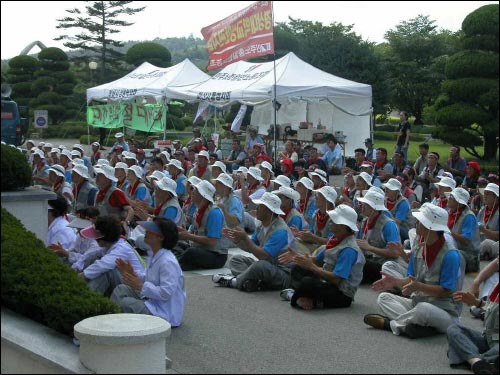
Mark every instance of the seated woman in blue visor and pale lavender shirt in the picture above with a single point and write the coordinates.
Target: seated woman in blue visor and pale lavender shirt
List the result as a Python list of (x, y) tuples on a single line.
[(159, 291)]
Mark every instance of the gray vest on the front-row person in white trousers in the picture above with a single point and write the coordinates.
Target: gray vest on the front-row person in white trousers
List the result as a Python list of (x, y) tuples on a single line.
[(432, 275)]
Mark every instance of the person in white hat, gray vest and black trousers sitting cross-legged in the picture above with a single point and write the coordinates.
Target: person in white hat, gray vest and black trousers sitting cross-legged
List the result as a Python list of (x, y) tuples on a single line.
[(330, 279)]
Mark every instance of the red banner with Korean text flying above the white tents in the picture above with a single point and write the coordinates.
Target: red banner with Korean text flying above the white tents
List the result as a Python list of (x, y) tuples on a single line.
[(243, 35)]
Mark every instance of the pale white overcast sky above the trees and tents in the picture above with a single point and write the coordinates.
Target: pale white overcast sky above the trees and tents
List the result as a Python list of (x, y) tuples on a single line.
[(23, 22)]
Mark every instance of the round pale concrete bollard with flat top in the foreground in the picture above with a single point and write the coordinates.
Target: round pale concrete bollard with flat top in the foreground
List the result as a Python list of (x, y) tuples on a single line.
[(123, 343)]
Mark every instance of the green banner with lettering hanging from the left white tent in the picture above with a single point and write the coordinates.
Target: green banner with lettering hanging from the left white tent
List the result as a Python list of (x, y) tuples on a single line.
[(147, 118)]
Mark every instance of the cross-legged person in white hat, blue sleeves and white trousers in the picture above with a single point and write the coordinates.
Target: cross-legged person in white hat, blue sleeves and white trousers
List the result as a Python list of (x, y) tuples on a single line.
[(435, 271)]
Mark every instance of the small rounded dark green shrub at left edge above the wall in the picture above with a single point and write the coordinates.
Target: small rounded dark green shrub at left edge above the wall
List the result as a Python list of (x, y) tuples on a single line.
[(16, 172)]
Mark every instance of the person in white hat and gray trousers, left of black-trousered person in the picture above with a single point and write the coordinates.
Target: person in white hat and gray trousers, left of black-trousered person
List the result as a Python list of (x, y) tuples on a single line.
[(271, 237)]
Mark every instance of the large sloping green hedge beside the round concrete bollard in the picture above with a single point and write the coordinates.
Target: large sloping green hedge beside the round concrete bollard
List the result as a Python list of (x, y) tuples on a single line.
[(35, 283)]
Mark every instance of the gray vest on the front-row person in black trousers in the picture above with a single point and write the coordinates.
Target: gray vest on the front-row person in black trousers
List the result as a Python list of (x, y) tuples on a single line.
[(347, 286)]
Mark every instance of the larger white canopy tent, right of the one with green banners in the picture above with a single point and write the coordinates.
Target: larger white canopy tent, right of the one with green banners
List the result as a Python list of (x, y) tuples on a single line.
[(304, 92)]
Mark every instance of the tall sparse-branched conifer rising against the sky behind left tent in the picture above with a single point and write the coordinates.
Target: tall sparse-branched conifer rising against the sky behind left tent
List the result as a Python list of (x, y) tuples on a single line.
[(98, 23)]
